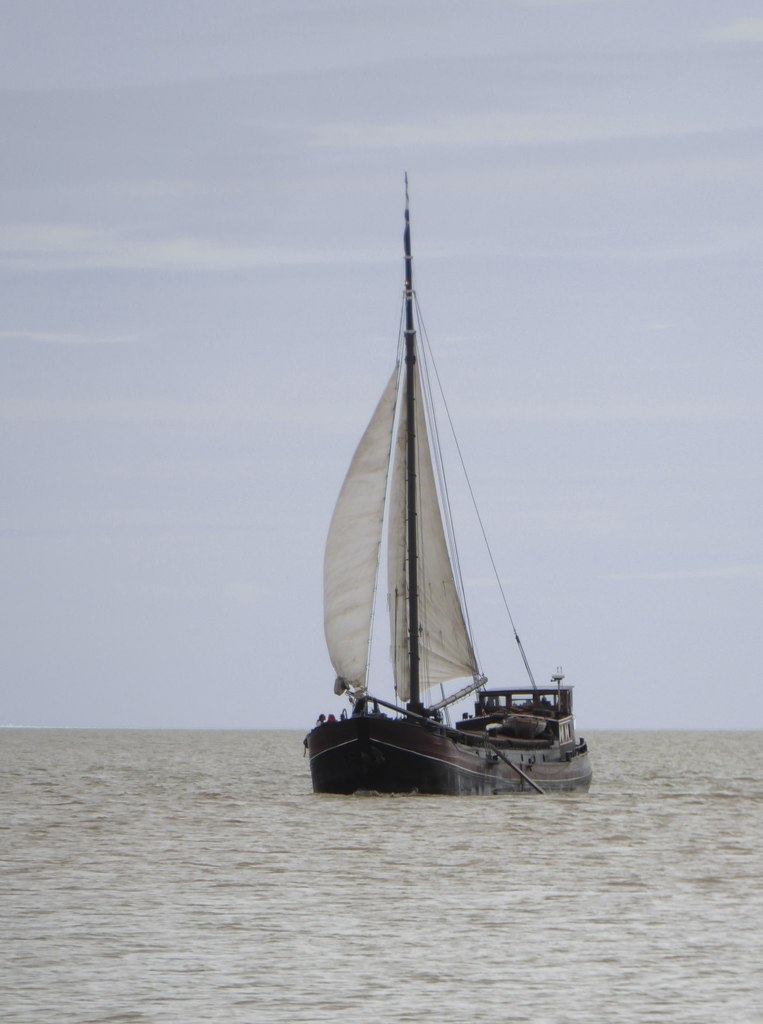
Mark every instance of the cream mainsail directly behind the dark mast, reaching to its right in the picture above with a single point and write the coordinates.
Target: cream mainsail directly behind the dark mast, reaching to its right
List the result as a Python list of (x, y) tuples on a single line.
[(445, 648)]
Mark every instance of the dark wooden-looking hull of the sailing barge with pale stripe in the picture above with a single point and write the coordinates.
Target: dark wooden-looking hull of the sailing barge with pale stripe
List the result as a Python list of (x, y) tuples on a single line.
[(388, 755)]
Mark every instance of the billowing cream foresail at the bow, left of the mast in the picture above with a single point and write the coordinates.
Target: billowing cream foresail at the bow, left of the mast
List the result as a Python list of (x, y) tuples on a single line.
[(353, 547)]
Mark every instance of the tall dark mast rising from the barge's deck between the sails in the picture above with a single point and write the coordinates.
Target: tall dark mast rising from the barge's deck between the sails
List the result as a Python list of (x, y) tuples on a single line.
[(413, 554)]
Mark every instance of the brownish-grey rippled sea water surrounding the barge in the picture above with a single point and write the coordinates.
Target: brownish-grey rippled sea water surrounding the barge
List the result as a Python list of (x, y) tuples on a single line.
[(192, 877)]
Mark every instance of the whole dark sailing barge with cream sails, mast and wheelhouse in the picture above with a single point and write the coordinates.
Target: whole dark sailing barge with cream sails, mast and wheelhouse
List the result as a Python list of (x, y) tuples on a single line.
[(519, 739)]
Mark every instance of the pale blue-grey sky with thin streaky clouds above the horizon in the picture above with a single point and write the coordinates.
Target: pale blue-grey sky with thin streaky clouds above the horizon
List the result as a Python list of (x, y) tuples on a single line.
[(201, 275)]
